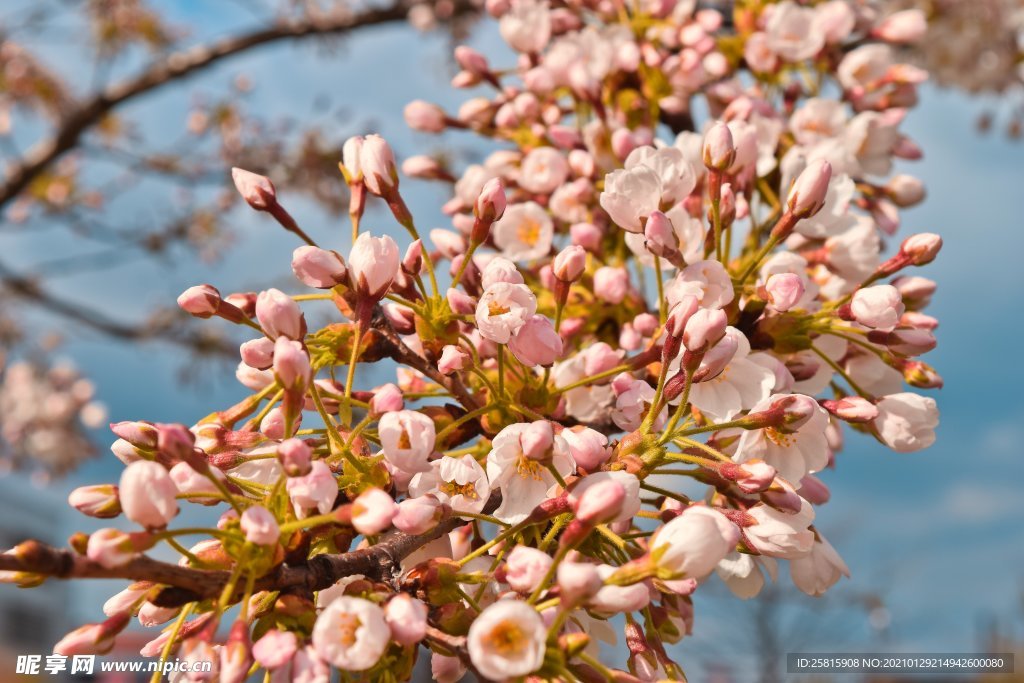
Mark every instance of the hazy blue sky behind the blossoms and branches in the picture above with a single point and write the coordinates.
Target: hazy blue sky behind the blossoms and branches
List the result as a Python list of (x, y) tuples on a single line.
[(937, 534)]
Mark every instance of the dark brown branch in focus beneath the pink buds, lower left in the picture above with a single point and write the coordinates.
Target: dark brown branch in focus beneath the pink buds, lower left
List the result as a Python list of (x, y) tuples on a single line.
[(379, 563)]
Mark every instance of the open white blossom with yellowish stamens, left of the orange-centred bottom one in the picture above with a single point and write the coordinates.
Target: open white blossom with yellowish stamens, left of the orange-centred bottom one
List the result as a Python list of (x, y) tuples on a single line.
[(352, 634)]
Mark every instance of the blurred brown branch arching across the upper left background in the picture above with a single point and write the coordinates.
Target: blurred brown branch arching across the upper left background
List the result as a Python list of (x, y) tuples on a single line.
[(181, 65)]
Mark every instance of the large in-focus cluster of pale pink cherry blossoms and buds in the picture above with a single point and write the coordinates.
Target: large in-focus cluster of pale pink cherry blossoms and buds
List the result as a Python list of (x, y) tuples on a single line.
[(625, 369)]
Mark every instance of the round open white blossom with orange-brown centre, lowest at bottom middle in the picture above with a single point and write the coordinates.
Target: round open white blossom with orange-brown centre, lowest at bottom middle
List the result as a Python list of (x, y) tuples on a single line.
[(507, 641)]
